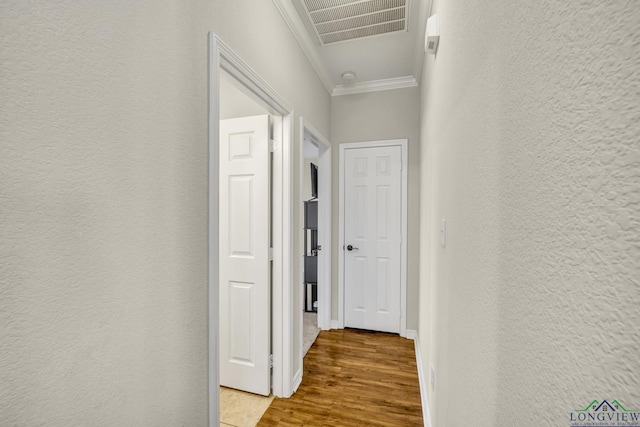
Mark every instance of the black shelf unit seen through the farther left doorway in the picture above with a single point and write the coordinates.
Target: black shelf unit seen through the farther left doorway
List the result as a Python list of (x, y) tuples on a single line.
[(311, 255)]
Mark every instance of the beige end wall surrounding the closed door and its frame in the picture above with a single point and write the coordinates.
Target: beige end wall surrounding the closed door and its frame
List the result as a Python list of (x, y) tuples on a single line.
[(389, 114)]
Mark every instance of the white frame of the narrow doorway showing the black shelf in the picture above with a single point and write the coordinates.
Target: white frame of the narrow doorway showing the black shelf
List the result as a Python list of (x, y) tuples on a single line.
[(324, 220)]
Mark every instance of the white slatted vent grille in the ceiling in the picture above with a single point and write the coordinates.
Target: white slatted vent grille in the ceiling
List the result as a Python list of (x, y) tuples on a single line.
[(340, 20)]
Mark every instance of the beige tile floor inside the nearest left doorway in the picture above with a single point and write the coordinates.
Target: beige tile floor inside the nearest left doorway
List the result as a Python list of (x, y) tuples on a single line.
[(240, 409)]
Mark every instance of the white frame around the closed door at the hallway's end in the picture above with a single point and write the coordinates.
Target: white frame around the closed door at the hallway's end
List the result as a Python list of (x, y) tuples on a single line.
[(403, 144)]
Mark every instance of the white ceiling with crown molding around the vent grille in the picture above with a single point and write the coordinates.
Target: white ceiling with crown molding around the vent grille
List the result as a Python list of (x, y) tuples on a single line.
[(386, 61)]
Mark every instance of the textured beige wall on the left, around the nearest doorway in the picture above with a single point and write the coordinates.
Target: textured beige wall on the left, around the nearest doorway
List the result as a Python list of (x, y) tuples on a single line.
[(103, 201)]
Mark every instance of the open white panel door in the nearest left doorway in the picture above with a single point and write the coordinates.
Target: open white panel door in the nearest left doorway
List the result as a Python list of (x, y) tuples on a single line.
[(245, 273)]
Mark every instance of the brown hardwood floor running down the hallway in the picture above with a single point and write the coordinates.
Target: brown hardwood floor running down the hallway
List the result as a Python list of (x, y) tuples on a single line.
[(353, 378)]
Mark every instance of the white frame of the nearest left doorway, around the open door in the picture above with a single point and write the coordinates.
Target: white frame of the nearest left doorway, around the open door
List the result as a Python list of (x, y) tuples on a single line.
[(223, 58)]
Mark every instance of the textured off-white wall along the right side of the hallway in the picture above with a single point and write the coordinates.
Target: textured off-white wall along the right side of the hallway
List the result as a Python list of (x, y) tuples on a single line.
[(530, 128)]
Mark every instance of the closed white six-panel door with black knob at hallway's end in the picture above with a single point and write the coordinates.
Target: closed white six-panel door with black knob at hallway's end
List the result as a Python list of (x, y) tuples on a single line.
[(372, 238)]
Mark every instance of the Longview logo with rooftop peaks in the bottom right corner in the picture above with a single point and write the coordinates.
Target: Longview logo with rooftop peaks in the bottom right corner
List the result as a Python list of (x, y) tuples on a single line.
[(604, 413)]
